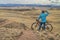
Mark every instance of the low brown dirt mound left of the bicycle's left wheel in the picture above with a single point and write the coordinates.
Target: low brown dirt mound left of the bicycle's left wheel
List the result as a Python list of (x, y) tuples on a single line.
[(16, 25)]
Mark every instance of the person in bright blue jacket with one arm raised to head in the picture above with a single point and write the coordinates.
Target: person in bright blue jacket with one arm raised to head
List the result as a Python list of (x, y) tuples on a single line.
[(42, 17)]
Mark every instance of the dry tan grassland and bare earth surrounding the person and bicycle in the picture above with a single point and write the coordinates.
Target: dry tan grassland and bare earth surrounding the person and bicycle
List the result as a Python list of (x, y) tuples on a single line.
[(13, 25)]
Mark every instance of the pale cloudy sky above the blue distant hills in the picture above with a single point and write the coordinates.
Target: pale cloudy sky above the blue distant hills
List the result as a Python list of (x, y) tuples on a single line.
[(27, 1)]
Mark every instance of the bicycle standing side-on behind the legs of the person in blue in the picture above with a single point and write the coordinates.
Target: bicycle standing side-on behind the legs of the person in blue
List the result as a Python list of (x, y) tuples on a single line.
[(48, 26)]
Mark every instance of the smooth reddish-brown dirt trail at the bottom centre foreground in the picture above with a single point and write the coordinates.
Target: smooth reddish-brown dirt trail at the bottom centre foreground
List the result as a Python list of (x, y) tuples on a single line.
[(28, 35)]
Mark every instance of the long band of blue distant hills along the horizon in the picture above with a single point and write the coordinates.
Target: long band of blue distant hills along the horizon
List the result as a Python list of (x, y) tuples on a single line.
[(28, 5)]
